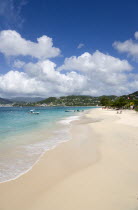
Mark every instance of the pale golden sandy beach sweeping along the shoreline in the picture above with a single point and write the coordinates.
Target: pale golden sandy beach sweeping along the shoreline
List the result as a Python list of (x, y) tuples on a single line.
[(96, 170)]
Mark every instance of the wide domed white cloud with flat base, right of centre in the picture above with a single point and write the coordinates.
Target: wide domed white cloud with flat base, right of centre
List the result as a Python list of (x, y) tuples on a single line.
[(96, 62)]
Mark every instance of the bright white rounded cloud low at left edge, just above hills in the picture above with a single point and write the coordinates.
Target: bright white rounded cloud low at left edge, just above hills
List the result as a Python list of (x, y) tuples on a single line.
[(16, 83)]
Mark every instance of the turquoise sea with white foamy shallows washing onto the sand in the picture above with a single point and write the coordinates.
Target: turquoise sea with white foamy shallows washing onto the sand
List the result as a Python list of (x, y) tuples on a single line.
[(25, 137)]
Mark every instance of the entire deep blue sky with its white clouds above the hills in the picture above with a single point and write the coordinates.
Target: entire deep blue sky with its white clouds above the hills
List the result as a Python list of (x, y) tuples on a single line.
[(55, 48)]
